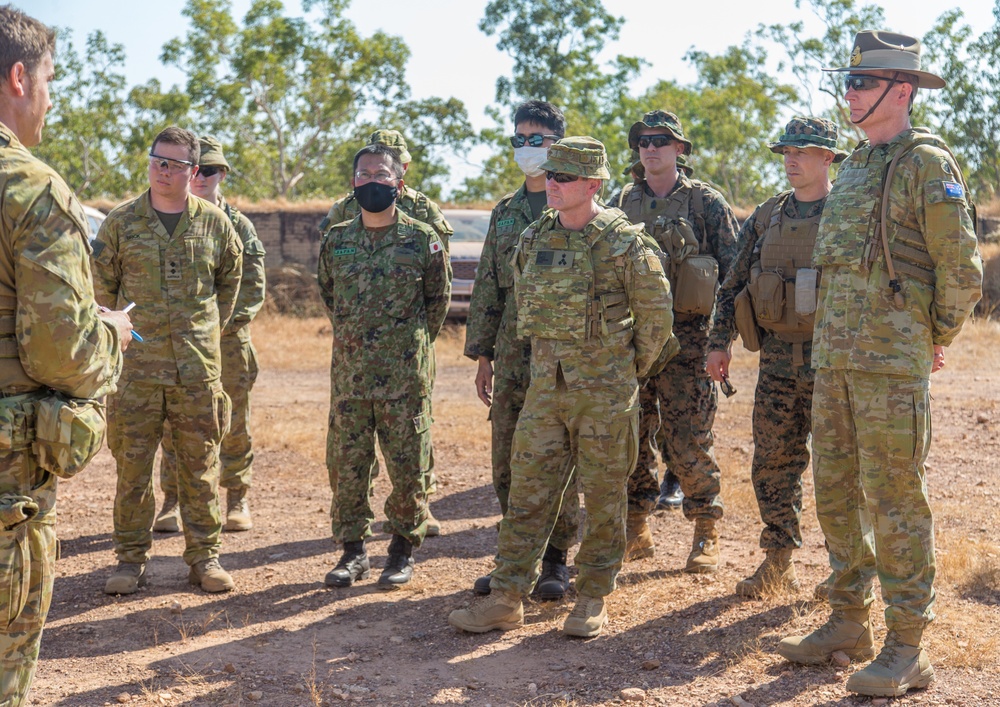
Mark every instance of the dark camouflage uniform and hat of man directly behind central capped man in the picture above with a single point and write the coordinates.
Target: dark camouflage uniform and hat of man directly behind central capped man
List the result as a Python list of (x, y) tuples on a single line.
[(681, 398)]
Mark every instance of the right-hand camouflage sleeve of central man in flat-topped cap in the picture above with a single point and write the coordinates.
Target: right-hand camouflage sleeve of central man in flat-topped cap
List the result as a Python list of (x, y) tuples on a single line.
[(651, 303)]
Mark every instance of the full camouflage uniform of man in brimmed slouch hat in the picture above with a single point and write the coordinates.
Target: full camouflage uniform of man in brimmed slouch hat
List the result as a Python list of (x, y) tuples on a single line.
[(871, 411)]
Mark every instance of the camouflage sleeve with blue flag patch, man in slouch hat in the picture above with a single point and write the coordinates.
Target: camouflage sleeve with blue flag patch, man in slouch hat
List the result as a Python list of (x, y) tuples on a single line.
[(950, 238)]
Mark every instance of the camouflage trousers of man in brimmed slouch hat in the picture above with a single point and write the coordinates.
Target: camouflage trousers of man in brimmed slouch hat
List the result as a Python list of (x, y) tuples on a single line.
[(871, 436)]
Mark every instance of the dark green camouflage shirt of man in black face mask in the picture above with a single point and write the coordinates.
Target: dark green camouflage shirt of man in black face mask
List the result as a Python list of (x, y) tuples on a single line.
[(386, 292)]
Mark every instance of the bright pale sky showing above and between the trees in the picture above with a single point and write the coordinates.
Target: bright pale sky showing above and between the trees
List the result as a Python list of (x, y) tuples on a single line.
[(451, 57)]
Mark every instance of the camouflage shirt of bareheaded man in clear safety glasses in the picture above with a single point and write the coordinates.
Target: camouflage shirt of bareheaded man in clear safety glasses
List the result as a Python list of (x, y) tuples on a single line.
[(185, 287)]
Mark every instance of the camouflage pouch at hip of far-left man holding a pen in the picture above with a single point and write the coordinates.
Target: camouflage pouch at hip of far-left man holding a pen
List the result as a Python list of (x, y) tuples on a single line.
[(68, 433)]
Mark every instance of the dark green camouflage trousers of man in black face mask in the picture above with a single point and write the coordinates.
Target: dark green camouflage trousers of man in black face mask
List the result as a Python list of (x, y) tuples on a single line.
[(403, 427)]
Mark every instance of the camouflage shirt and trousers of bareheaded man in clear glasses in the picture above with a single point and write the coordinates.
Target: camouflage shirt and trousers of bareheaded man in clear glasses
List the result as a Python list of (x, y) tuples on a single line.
[(185, 287)]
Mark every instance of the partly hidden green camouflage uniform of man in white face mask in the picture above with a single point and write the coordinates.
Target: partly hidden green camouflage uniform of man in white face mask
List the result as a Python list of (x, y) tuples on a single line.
[(492, 332)]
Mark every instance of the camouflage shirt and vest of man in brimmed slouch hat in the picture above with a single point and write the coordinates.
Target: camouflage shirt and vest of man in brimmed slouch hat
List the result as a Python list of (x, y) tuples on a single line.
[(858, 324)]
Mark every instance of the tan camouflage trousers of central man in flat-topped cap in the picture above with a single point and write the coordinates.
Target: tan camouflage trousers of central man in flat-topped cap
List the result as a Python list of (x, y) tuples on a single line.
[(602, 425)]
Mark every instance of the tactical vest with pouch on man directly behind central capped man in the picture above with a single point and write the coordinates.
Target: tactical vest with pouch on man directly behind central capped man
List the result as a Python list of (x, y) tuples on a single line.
[(692, 271)]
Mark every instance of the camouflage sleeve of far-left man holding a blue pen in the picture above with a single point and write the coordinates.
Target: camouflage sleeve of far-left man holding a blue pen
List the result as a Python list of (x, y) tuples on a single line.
[(62, 343)]
